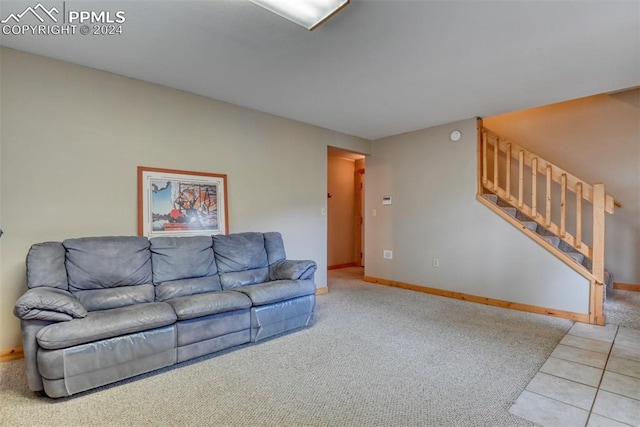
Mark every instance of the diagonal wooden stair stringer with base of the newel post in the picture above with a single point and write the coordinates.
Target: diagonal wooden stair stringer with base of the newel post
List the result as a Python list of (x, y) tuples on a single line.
[(596, 288)]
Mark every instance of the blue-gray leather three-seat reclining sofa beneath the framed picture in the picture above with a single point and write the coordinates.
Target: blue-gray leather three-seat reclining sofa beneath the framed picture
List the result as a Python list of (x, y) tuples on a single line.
[(102, 309)]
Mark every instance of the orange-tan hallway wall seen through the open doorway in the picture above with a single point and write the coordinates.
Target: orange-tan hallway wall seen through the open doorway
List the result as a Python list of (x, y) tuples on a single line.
[(341, 239)]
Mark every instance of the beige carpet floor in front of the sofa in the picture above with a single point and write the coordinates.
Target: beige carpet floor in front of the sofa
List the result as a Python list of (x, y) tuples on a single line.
[(376, 356)]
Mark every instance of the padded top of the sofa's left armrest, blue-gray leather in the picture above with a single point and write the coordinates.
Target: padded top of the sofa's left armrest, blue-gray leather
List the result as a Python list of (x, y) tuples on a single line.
[(50, 304)]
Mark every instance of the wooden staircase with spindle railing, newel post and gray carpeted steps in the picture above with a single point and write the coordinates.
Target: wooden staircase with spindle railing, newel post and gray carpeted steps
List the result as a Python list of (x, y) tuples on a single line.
[(561, 212)]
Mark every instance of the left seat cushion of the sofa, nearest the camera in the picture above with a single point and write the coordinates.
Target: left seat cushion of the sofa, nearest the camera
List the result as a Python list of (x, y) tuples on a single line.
[(99, 325)]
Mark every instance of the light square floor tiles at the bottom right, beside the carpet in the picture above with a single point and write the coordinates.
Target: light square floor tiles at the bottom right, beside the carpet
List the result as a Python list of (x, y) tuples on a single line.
[(592, 379)]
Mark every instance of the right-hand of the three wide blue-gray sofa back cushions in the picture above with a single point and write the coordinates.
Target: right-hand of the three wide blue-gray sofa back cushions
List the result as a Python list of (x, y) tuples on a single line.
[(241, 259)]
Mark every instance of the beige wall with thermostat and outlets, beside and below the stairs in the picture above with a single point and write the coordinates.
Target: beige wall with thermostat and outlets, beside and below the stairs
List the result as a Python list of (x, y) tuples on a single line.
[(435, 215)]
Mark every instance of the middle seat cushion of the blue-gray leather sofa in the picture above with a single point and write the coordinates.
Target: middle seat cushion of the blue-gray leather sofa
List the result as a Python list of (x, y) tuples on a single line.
[(192, 306)]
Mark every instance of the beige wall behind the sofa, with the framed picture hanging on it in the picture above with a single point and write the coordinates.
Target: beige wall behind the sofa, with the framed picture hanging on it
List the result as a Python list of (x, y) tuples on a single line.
[(72, 137)]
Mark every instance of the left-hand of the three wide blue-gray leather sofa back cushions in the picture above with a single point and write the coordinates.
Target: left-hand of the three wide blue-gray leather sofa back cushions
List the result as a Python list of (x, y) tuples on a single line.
[(96, 266)]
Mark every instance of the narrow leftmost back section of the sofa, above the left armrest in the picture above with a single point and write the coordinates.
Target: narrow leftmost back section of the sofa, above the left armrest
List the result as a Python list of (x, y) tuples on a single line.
[(45, 266)]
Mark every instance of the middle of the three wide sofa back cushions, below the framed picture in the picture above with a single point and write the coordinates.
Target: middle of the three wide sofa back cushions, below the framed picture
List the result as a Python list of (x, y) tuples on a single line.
[(183, 266)]
